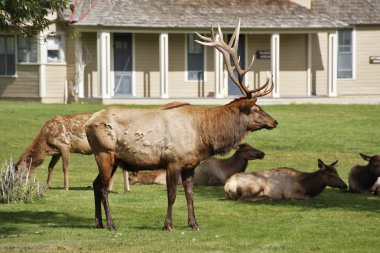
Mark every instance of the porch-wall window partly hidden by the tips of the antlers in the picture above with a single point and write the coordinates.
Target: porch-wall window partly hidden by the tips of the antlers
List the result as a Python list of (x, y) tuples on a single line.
[(195, 59)]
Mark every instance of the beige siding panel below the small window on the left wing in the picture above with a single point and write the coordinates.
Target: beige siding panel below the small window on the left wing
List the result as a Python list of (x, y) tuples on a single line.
[(55, 80)]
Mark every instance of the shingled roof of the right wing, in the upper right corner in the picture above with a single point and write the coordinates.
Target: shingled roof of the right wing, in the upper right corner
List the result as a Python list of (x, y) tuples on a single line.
[(354, 12)]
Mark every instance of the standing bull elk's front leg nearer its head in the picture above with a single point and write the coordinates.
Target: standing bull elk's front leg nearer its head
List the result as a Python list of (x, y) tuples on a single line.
[(188, 185)]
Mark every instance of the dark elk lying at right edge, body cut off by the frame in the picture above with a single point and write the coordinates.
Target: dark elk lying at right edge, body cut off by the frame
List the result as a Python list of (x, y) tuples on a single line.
[(366, 179)]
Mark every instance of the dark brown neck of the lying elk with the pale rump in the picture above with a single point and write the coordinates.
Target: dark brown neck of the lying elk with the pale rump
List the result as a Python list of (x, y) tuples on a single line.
[(312, 183)]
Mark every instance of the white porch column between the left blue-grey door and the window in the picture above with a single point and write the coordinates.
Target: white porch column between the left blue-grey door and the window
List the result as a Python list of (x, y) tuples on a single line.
[(164, 64)]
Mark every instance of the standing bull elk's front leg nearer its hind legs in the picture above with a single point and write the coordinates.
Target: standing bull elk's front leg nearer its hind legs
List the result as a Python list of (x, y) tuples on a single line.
[(172, 176)]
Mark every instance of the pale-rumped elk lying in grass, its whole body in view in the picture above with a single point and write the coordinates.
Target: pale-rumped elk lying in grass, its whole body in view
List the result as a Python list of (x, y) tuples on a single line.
[(283, 183)]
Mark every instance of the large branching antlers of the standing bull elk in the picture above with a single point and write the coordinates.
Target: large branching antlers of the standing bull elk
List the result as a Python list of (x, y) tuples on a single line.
[(231, 49)]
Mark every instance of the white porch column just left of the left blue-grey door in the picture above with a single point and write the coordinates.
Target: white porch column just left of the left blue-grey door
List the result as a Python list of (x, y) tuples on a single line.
[(104, 69)]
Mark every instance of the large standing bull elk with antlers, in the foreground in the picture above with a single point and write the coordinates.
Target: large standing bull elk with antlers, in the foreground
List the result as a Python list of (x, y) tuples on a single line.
[(176, 138)]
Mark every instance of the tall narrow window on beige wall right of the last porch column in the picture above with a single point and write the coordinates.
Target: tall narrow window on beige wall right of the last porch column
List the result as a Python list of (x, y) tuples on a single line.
[(345, 53)]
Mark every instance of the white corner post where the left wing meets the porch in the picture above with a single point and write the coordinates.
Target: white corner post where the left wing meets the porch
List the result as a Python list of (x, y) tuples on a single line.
[(79, 67)]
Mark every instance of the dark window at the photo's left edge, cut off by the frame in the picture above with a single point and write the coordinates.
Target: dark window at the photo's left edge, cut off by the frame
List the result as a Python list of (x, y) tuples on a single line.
[(7, 55)]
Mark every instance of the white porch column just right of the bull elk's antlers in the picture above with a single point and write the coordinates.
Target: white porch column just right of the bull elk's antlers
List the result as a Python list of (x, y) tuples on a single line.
[(275, 61)]
